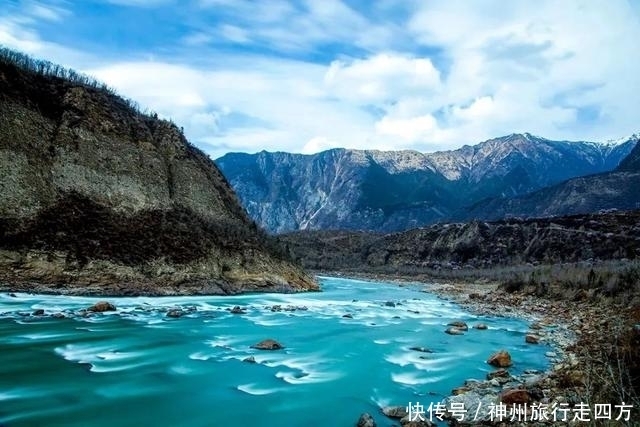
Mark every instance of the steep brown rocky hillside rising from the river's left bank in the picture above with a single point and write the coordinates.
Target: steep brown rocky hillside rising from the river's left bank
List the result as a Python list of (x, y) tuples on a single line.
[(97, 198)]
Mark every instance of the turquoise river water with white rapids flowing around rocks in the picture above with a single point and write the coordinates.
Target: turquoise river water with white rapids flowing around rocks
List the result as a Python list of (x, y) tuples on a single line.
[(139, 367)]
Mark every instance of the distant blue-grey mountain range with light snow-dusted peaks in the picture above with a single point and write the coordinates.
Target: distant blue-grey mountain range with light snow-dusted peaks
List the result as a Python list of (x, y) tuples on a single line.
[(387, 191)]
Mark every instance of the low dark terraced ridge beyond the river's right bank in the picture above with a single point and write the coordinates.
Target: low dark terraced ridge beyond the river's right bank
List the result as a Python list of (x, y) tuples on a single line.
[(474, 244)]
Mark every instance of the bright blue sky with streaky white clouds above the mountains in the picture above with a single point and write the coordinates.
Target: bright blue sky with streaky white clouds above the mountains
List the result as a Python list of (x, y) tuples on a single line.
[(305, 76)]
